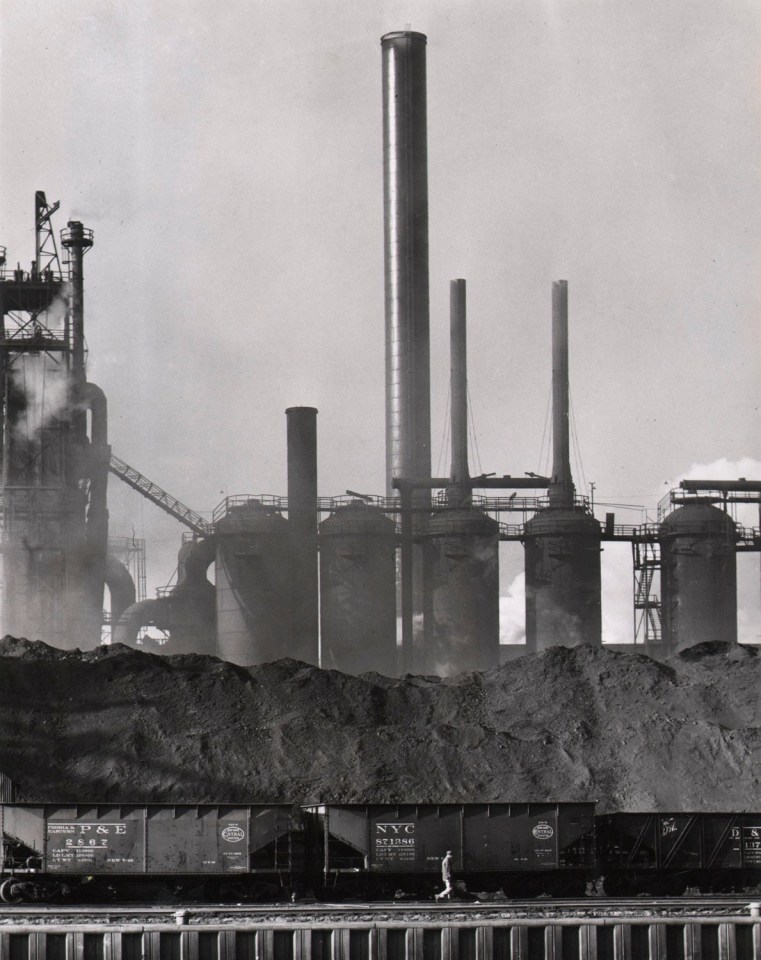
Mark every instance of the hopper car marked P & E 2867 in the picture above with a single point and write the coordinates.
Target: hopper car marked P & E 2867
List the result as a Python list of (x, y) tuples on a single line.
[(149, 850)]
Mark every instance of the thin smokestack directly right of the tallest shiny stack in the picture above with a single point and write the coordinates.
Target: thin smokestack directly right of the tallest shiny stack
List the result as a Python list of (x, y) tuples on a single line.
[(458, 493)]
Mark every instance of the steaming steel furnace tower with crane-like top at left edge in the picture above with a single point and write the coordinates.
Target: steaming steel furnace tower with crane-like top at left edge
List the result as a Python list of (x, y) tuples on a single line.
[(53, 462)]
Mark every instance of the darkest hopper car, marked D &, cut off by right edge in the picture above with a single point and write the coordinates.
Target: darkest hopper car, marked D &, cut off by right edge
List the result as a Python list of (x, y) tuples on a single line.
[(667, 853)]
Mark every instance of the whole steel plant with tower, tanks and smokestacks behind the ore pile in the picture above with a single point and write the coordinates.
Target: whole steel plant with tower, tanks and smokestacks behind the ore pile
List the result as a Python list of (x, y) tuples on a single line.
[(404, 582)]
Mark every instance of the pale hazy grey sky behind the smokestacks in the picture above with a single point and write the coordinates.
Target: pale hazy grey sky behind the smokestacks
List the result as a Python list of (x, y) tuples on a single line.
[(229, 161)]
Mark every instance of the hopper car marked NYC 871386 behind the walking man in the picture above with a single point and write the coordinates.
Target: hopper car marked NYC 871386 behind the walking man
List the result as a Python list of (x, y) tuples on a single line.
[(519, 847)]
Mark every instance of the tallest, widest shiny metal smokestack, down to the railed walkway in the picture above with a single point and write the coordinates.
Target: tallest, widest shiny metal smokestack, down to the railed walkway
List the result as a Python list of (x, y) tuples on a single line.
[(405, 182)]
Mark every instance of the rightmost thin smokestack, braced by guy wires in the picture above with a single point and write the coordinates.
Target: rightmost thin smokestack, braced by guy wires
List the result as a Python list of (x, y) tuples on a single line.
[(562, 491)]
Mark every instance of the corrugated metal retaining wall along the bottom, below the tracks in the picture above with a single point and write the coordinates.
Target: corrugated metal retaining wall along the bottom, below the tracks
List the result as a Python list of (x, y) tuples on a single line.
[(667, 939)]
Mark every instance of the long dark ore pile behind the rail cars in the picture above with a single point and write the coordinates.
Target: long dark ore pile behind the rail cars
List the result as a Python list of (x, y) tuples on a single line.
[(584, 723)]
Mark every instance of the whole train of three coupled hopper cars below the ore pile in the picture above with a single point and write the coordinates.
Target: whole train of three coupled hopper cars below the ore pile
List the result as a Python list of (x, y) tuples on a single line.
[(237, 852)]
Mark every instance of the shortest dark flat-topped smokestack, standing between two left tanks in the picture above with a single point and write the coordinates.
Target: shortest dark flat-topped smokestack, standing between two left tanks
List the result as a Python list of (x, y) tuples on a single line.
[(302, 522)]
